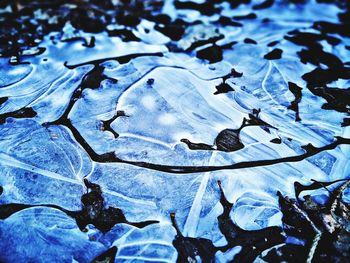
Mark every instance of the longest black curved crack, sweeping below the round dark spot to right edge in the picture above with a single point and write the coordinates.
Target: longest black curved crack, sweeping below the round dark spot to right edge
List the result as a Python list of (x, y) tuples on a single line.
[(110, 157)]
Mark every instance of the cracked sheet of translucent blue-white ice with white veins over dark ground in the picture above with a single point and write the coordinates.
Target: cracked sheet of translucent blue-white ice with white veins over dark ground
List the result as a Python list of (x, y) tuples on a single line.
[(42, 161)]
